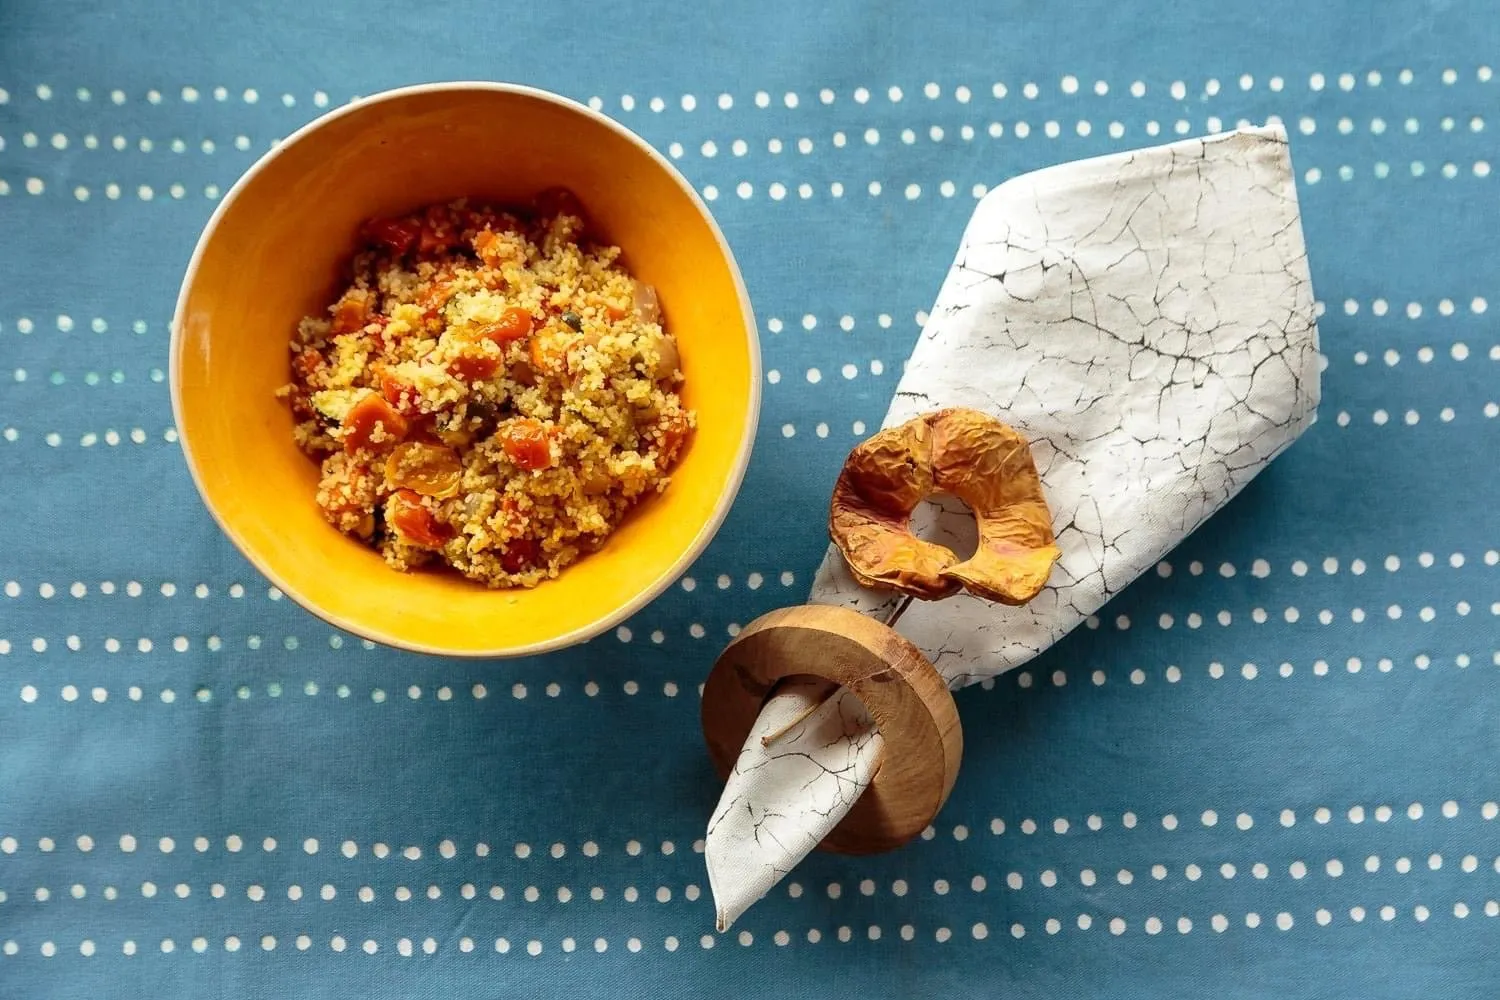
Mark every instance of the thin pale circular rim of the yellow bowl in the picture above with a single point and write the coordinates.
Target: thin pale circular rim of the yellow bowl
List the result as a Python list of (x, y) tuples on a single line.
[(731, 487)]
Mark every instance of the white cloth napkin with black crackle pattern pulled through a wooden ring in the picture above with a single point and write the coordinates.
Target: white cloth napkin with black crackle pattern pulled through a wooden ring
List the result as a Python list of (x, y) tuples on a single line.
[(1147, 322)]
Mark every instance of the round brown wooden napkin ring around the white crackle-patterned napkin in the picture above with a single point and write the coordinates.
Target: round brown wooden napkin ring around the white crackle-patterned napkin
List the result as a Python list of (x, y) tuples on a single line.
[(904, 693)]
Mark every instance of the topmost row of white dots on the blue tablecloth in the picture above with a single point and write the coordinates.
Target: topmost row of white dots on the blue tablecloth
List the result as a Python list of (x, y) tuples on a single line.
[(1067, 85)]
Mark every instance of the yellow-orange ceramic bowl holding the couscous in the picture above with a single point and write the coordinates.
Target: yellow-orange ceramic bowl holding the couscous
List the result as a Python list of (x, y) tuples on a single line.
[(274, 253)]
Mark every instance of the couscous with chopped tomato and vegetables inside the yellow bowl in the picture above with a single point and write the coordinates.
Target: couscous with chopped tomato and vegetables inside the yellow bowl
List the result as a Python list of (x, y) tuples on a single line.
[(493, 392)]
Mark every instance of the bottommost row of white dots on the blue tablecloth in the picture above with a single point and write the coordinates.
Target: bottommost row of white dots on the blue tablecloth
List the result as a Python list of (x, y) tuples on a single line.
[(1117, 926)]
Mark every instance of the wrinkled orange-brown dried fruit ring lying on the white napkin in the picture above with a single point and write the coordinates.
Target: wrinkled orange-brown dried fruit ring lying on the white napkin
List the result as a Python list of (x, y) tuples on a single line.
[(973, 457)]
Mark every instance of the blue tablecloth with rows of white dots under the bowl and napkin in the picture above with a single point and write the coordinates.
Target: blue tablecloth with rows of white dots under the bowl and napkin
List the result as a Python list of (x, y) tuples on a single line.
[(1268, 770)]
